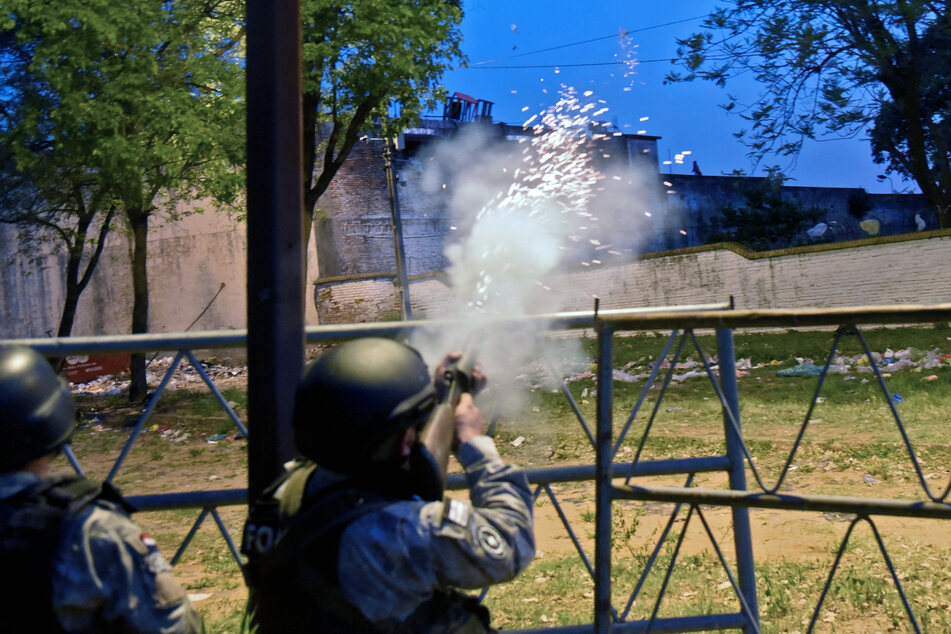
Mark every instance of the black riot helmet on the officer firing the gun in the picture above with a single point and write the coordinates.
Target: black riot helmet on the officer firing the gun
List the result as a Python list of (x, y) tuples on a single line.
[(354, 402)]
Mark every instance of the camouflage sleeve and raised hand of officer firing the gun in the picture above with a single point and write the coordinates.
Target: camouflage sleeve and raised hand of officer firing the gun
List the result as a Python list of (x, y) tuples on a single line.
[(392, 560)]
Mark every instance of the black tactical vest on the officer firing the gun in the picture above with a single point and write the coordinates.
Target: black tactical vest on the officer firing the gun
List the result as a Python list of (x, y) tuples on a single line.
[(292, 566)]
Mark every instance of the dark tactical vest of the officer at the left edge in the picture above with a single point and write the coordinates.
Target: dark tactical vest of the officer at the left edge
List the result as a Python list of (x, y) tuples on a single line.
[(31, 524)]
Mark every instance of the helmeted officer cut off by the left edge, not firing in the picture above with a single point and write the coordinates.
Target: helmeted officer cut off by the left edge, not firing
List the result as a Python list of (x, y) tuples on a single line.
[(72, 560)]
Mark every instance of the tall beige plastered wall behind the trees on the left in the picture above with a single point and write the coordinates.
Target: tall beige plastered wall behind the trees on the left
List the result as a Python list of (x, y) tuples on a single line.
[(188, 262)]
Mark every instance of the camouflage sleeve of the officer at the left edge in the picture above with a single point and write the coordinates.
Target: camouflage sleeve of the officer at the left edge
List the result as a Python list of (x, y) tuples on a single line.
[(109, 576)]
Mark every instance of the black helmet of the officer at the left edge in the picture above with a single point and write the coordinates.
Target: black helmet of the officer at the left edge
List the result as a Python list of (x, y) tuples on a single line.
[(37, 414)]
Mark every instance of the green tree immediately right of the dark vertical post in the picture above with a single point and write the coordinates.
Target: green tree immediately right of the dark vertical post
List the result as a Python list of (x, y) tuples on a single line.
[(360, 57)]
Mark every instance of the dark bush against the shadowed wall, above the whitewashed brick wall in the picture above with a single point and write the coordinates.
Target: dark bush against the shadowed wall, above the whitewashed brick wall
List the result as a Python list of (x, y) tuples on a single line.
[(766, 220)]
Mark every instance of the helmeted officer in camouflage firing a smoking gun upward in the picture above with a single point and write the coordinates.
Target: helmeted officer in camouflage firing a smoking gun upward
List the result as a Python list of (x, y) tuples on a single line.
[(356, 535)]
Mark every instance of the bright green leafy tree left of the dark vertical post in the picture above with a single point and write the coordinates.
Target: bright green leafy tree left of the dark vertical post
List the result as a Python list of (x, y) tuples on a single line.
[(125, 107)]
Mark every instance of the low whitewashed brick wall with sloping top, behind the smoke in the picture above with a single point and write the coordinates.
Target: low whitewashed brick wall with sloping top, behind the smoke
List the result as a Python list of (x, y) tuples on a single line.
[(913, 269)]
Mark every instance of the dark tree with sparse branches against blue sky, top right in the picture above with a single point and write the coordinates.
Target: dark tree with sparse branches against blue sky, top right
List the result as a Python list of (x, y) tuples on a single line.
[(838, 67)]
